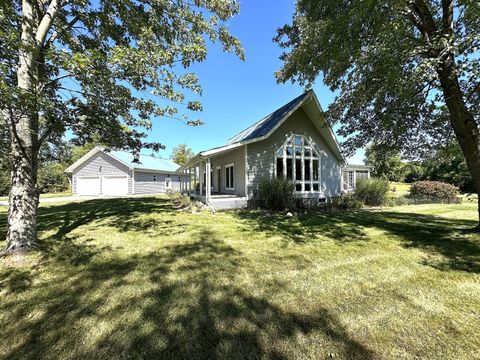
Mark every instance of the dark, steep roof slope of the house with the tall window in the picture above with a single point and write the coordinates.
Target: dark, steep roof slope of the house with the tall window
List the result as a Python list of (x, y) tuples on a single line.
[(266, 124)]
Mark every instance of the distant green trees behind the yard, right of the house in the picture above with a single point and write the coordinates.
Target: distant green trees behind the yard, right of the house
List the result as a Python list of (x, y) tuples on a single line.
[(446, 164)]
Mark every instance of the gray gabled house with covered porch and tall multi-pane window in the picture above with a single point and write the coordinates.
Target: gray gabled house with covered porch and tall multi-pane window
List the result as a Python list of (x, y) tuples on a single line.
[(295, 142)]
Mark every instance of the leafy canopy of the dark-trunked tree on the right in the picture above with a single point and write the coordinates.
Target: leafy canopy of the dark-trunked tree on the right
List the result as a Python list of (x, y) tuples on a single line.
[(384, 57)]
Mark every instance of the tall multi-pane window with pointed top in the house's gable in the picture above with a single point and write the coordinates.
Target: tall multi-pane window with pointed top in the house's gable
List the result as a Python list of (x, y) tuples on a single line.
[(298, 161)]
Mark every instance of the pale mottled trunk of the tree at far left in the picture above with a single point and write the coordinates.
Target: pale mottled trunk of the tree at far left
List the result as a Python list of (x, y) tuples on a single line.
[(23, 122)]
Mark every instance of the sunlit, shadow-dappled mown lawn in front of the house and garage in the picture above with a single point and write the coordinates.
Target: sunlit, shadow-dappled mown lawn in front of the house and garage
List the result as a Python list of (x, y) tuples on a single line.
[(134, 278)]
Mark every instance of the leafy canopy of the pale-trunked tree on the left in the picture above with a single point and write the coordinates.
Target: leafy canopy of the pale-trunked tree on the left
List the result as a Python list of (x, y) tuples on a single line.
[(108, 67)]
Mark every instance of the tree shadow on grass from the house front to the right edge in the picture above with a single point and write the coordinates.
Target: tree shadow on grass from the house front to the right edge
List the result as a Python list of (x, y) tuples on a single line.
[(433, 234)]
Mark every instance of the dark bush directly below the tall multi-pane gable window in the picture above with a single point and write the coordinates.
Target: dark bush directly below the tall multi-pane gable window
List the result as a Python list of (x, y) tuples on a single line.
[(277, 193)]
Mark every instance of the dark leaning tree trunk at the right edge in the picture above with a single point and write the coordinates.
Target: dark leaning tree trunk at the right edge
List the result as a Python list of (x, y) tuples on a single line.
[(463, 122)]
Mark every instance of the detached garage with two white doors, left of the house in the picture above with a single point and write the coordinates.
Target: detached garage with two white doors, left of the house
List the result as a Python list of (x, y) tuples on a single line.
[(113, 173)]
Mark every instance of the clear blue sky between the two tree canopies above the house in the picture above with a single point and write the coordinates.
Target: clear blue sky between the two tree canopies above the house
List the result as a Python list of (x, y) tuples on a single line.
[(235, 93)]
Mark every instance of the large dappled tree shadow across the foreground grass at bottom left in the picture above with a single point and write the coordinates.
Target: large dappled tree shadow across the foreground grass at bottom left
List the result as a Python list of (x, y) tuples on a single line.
[(189, 305)]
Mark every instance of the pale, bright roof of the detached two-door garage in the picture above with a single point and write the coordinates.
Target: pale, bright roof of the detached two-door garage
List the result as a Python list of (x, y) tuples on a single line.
[(147, 162)]
